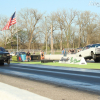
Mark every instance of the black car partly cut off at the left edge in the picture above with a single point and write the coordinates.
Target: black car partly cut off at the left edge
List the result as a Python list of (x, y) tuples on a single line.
[(4, 56)]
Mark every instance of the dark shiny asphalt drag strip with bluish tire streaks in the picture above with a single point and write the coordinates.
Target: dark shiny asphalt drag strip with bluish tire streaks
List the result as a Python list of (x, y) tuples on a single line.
[(82, 79)]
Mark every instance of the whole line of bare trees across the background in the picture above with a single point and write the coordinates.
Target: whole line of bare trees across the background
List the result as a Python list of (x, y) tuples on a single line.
[(58, 30)]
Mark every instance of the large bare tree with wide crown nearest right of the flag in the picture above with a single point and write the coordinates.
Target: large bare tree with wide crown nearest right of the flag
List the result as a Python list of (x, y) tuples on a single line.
[(30, 20)]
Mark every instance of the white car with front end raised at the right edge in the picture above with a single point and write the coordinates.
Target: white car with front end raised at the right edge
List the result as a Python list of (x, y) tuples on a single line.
[(91, 51)]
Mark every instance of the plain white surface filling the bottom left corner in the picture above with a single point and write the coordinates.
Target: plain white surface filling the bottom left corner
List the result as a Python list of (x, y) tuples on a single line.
[(8, 92)]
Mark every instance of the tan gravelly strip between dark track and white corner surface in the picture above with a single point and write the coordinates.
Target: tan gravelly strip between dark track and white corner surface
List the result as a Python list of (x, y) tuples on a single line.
[(48, 90)]
